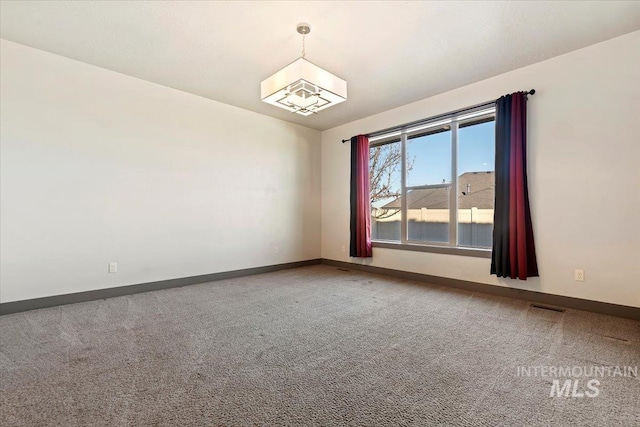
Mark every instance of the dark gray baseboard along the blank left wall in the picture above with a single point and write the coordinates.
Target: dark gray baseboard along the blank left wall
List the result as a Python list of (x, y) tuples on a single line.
[(32, 304)]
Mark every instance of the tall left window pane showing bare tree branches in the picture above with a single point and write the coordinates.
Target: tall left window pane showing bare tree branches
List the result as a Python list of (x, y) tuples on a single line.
[(384, 173)]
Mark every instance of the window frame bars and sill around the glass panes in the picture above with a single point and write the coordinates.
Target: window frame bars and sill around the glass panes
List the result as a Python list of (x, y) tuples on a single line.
[(467, 117)]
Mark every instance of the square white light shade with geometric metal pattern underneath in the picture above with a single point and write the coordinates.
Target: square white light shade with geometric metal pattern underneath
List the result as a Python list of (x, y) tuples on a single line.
[(304, 88)]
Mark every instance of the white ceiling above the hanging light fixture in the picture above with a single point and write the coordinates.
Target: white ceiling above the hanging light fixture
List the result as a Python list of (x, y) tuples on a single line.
[(390, 52)]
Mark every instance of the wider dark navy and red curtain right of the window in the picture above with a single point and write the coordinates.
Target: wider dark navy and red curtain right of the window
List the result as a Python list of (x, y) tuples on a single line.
[(513, 253)]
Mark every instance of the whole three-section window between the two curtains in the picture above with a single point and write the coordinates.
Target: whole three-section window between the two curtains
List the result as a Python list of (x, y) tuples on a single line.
[(432, 182)]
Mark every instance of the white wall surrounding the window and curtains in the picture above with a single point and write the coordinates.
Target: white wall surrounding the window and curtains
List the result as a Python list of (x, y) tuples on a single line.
[(584, 174)]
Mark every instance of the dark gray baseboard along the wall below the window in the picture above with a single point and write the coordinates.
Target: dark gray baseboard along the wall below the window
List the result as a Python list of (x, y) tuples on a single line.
[(533, 296)]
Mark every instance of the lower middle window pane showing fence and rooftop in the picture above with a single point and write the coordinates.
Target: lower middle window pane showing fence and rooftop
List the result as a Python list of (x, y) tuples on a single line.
[(428, 214)]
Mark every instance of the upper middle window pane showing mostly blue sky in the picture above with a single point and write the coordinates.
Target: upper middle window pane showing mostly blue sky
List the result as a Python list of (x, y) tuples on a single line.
[(429, 158)]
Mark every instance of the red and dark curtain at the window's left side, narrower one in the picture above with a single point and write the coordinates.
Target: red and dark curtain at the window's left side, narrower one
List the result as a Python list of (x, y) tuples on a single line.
[(360, 224)]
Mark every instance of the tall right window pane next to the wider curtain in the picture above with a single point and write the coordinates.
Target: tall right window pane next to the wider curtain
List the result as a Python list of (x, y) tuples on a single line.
[(476, 184)]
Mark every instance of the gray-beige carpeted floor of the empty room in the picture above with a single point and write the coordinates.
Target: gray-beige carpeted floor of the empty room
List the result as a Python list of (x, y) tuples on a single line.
[(311, 346)]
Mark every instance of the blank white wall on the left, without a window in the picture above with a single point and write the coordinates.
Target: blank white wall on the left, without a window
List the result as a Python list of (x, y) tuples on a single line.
[(98, 167)]
